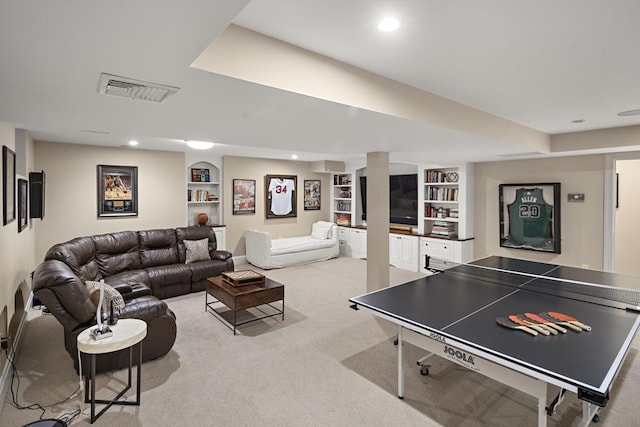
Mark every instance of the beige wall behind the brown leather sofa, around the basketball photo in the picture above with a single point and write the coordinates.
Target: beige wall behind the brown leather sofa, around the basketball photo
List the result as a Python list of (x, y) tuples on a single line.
[(71, 191)]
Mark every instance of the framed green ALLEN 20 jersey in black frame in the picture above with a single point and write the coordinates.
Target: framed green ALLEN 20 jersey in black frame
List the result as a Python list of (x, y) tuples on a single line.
[(530, 216)]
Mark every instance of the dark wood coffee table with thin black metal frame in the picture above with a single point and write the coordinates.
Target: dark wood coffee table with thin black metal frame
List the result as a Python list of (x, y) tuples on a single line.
[(237, 298)]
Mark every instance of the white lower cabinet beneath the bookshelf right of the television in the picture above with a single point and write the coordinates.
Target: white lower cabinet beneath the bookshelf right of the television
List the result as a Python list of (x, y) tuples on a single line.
[(439, 254)]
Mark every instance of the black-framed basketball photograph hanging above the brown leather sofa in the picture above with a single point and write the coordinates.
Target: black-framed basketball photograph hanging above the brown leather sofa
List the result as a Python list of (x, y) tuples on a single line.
[(117, 191)]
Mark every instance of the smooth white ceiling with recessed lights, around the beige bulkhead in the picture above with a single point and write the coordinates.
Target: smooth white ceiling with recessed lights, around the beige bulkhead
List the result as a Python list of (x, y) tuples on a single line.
[(538, 63)]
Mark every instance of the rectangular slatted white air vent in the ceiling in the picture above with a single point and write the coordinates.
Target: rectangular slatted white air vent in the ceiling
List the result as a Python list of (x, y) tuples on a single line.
[(134, 89)]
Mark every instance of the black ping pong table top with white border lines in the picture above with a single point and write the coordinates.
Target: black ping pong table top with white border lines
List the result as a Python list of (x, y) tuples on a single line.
[(462, 304)]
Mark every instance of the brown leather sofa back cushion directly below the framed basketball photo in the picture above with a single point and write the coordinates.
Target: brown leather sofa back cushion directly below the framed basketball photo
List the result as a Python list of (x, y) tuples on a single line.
[(117, 252)]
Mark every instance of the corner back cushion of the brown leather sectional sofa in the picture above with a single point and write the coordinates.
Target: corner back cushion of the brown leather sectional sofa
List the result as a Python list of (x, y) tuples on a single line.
[(79, 255)]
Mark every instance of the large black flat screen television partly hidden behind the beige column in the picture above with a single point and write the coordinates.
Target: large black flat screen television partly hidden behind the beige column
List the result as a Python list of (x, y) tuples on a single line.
[(403, 199)]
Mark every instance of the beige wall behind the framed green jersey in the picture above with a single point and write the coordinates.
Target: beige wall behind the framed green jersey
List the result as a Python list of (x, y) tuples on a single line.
[(582, 224)]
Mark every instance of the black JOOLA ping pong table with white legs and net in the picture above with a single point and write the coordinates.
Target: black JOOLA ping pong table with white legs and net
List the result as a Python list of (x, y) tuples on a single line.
[(456, 310)]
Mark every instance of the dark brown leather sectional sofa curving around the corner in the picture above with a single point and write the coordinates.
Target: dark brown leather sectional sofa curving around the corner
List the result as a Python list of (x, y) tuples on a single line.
[(144, 266)]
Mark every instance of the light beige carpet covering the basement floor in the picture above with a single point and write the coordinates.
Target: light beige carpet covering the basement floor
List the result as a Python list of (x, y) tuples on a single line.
[(324, 365)]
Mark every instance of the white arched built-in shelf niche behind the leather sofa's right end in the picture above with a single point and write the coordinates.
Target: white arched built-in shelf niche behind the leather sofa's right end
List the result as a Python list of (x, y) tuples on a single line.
[(203, 193)]
